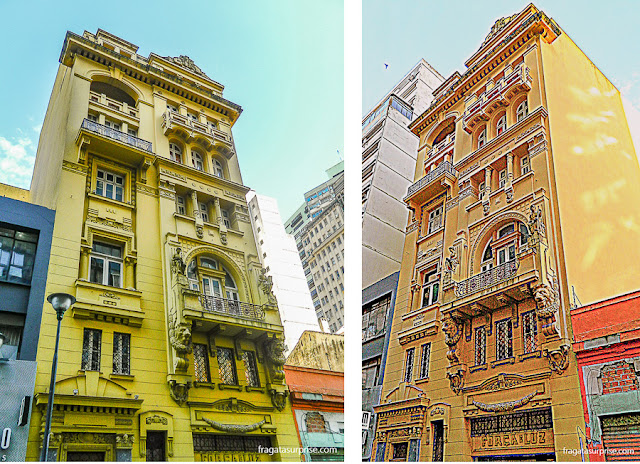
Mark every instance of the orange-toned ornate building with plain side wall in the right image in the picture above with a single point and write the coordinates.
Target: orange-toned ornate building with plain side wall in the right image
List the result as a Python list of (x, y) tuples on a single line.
[(527, 184)]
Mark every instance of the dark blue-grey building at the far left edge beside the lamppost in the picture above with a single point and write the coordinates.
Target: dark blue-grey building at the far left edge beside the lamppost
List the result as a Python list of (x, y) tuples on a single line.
[(25, 246)]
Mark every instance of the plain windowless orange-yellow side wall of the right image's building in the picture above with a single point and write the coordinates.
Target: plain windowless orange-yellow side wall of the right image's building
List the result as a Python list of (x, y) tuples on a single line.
[(596, 174)]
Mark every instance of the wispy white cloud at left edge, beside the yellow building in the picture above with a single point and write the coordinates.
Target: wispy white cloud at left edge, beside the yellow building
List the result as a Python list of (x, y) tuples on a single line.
[(16, 161)]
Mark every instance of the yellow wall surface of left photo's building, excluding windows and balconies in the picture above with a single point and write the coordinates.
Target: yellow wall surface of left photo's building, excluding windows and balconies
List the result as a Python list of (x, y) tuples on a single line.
[(64, 187)]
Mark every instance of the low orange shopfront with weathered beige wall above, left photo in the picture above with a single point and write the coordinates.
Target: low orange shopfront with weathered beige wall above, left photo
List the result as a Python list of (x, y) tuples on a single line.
[(315, 376)]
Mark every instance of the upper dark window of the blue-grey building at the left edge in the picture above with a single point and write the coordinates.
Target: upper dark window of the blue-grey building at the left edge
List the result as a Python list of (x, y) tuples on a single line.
[(17, 255)]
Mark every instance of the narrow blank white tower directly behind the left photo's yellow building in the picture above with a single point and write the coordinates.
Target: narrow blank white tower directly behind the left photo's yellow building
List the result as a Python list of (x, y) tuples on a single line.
[(279, 256)]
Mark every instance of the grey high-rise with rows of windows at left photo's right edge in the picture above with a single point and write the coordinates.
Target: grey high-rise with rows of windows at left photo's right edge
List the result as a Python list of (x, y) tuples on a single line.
[(320, 241)]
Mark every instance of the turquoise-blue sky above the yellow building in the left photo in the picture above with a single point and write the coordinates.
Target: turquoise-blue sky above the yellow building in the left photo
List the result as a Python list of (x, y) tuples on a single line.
[(281, 61)]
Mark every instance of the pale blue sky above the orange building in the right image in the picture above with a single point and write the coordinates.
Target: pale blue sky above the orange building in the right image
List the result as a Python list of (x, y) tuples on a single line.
[(446, 34)]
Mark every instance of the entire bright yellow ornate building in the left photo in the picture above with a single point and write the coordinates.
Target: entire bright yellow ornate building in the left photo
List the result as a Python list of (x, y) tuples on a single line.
[(174, 349)]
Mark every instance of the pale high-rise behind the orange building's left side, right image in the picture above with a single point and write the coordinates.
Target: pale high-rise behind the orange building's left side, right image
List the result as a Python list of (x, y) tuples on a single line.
[(389, 151)]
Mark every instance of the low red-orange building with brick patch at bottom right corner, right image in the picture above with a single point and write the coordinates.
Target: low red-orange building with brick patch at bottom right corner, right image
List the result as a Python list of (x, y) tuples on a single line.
[(607, 347)]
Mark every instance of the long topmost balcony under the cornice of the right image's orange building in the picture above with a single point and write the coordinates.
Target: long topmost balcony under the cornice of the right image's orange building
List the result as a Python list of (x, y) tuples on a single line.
[(498, 96)]
